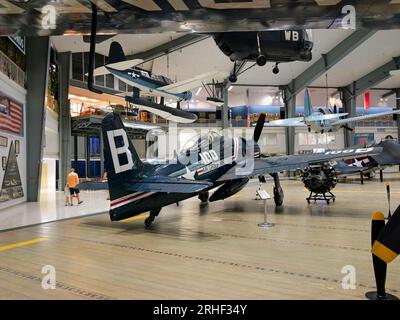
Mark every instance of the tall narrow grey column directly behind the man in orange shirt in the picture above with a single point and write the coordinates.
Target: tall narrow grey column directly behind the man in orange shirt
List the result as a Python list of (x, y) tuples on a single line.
[(64, 64)]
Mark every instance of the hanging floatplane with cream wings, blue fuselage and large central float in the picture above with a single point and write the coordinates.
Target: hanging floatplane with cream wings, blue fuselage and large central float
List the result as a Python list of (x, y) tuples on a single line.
[(154, 85)]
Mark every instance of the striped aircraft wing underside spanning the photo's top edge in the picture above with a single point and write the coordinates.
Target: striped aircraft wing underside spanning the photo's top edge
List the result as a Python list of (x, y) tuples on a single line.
[(44, 17)]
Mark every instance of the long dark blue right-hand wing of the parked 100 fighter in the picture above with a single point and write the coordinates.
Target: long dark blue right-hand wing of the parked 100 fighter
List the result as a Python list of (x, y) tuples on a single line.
[(261, 166)]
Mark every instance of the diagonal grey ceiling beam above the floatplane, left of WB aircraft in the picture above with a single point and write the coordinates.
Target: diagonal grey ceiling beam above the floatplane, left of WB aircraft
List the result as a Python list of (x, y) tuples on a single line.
[(168, 47)]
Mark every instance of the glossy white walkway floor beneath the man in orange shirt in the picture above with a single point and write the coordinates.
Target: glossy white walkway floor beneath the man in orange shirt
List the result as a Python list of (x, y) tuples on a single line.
[(52, 207)]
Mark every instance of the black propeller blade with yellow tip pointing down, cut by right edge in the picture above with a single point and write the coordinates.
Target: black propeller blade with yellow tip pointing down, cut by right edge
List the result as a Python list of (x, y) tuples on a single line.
[(387, 245)]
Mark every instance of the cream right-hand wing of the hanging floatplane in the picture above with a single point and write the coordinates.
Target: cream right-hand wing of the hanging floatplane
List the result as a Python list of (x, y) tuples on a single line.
[(189, 84)]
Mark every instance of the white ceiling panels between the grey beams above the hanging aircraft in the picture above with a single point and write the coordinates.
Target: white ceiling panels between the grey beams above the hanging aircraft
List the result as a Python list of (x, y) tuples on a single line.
[(205, 56)]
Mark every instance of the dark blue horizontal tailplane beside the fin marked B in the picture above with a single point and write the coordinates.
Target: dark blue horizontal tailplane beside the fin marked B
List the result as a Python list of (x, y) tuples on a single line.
[(168, 184)]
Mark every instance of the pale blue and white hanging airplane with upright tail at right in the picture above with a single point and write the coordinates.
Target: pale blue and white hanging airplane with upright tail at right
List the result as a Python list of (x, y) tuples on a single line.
[(321, 121)]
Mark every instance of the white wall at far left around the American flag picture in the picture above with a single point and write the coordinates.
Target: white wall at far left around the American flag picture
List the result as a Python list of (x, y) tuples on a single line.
[(15, 92)]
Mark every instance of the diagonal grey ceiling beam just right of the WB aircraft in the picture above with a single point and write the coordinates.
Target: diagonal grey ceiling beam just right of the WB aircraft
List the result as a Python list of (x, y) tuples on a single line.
[(327, 61)]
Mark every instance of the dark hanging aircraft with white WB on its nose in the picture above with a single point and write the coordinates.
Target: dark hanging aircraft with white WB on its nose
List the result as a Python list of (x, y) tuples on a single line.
[(260, 47)]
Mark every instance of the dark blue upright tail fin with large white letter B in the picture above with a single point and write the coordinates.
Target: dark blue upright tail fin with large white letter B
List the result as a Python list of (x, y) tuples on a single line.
[(121, 160)]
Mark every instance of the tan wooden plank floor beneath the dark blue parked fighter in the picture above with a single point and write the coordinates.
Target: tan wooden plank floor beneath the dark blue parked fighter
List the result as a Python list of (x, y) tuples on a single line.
[(213, 251)]
